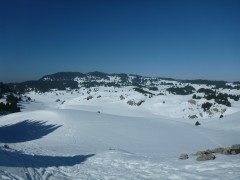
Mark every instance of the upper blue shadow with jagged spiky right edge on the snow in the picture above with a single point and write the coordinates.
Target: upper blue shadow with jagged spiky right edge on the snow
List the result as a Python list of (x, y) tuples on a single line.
[(25, 131)]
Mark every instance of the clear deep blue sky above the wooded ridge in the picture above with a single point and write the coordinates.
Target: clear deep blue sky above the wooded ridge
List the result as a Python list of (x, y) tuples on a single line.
[(183, 39)]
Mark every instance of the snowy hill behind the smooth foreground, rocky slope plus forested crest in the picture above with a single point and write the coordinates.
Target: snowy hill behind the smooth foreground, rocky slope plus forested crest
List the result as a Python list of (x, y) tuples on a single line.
[(190, 99)]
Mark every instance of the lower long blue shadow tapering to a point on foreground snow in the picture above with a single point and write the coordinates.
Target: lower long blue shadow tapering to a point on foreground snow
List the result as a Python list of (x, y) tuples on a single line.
[(18, 159)]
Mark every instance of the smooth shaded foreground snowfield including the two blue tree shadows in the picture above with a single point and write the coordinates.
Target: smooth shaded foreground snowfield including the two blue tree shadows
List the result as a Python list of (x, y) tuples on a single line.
[(70, 140)]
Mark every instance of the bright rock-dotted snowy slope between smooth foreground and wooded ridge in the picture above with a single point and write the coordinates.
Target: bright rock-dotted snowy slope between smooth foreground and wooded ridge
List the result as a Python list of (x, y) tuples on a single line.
[(123, 101)]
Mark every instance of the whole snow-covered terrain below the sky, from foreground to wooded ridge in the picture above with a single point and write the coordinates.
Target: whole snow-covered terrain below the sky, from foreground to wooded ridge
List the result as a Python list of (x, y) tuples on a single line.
[(101, 126)]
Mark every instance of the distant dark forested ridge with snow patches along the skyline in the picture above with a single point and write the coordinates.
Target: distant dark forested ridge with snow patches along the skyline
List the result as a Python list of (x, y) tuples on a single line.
[(74, 80)]
